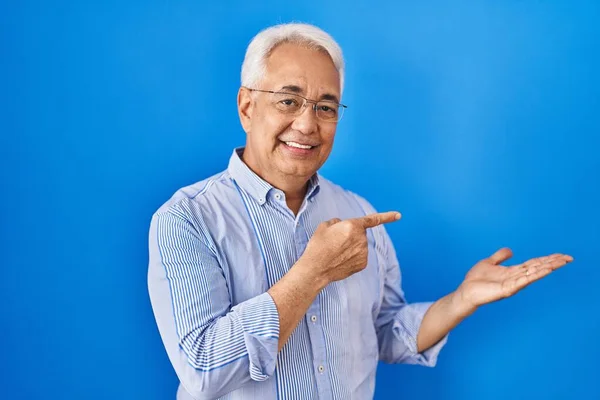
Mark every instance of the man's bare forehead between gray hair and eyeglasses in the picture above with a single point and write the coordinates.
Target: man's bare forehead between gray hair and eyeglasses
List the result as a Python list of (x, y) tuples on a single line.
[(311, 70)]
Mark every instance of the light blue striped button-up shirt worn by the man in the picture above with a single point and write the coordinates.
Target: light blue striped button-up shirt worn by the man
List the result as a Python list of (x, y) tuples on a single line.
[(217, 246)]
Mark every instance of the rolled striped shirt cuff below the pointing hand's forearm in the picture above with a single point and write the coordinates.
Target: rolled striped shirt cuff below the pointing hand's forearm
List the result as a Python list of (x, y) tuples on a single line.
[(260, 321)]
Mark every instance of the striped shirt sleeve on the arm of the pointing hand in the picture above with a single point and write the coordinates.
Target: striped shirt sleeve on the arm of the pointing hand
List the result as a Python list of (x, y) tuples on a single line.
[(214, 348)]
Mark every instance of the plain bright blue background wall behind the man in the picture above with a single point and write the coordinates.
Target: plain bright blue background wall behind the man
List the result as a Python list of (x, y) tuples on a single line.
[(479, 121)]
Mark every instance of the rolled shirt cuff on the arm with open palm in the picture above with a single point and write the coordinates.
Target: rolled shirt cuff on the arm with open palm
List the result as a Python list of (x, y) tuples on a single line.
[(406, 326)]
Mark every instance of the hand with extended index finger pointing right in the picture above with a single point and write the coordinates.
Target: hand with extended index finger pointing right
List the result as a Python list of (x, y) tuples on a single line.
[(339, 249)]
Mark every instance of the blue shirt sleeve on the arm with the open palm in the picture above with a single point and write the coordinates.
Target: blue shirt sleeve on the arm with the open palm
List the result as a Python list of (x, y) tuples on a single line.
[(398, 323)]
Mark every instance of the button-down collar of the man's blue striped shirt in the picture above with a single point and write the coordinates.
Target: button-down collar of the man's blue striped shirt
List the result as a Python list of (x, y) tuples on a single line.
[(254, 185)]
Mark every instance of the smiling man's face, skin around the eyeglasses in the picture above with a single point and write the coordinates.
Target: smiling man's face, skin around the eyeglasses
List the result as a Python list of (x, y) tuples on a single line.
[(273, 137)]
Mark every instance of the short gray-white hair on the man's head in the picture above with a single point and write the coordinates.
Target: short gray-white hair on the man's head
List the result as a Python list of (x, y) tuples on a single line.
[(261, 46)]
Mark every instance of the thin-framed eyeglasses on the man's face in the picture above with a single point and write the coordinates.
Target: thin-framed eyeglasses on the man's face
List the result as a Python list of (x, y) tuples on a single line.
[(293, 105)]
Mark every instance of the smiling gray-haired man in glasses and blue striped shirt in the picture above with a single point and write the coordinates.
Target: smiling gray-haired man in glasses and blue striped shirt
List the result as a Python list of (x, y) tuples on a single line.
[(270, 282)]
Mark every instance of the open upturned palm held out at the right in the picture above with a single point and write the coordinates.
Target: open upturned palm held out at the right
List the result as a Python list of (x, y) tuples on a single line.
[(489, 281)]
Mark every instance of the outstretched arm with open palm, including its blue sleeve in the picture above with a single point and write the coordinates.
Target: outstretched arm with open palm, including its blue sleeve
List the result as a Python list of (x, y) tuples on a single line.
[(415, 333)]
